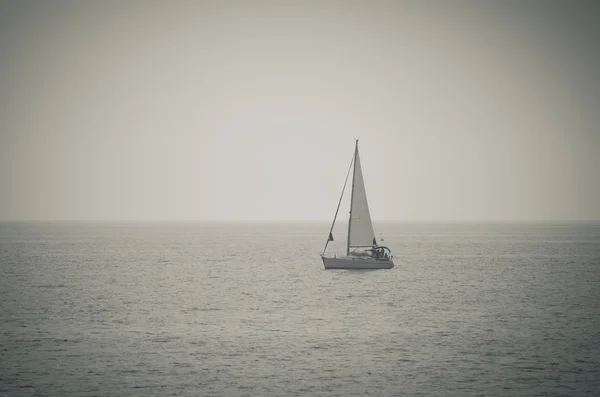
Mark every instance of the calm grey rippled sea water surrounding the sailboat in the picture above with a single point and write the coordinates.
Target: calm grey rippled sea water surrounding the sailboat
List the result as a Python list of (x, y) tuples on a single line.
[(192, 309)]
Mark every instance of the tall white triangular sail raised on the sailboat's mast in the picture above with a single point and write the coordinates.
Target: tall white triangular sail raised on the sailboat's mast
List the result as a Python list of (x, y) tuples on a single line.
[(360, 233)]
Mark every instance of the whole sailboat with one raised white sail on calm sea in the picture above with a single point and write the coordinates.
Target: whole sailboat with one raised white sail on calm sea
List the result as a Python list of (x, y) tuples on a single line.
[(362, 250)]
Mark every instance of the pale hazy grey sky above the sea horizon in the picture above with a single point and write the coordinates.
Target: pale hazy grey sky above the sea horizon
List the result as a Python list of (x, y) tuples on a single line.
[(248, 110)]
